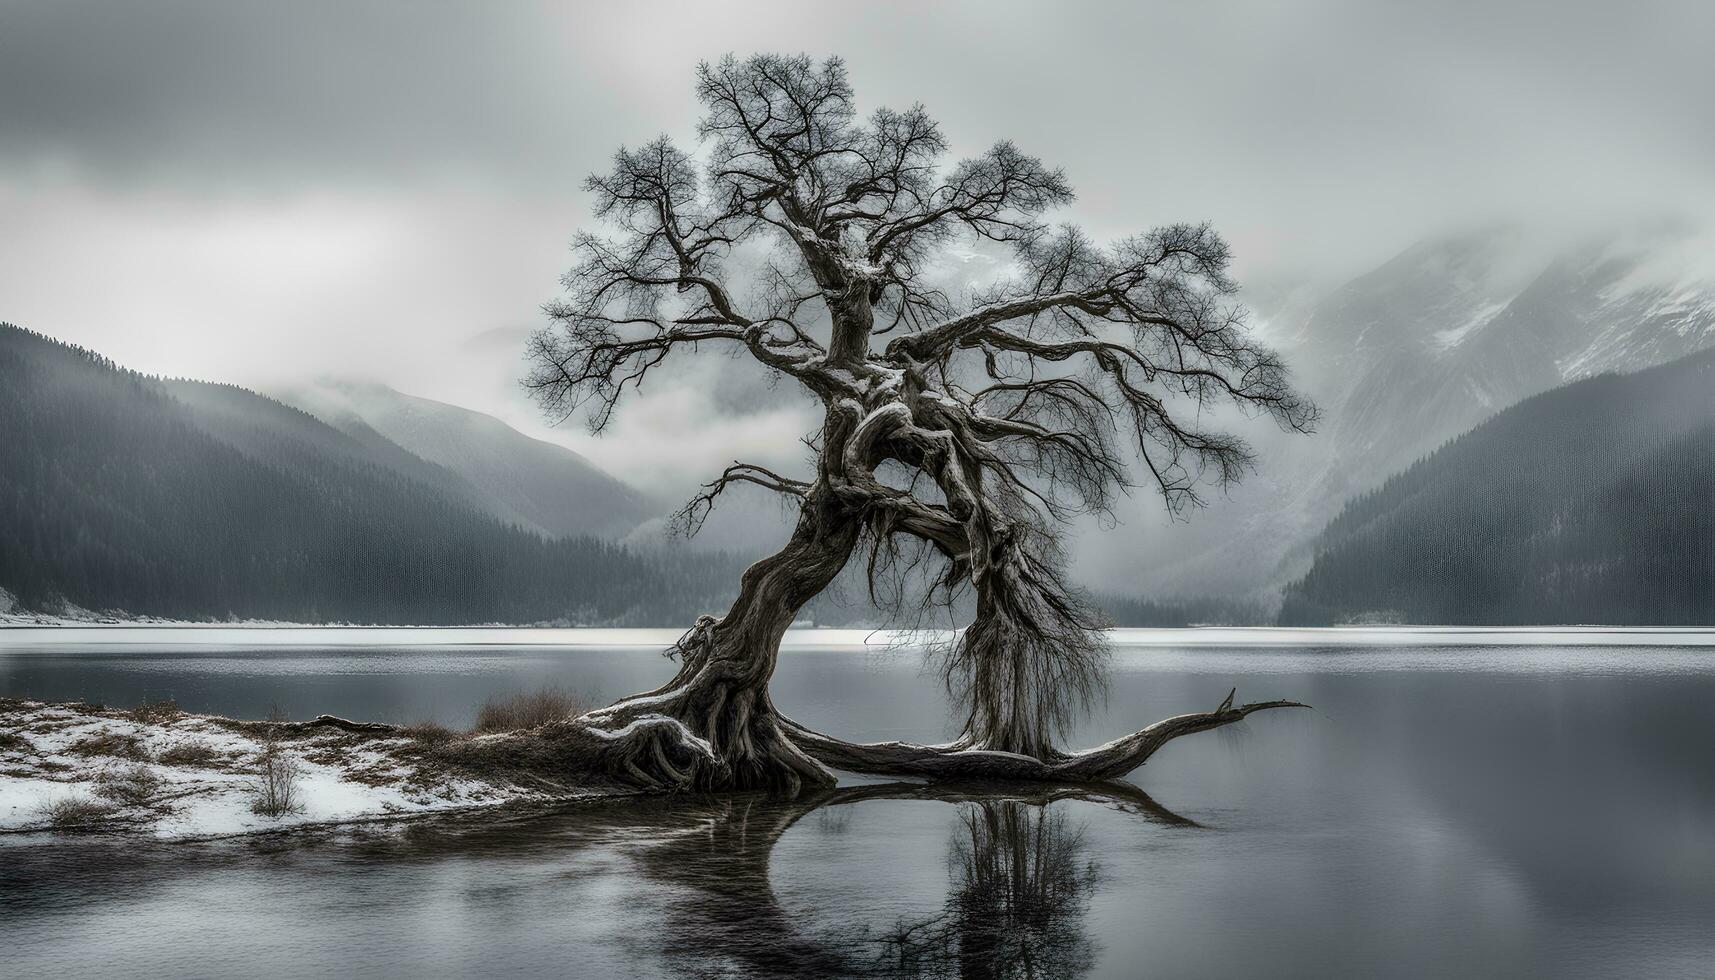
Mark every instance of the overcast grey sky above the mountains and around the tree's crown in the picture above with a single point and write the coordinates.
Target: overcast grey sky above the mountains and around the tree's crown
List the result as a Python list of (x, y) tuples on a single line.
[(263, 193)]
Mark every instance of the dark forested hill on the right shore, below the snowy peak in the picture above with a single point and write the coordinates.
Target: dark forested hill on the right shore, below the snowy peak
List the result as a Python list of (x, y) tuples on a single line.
[(1592, 504)]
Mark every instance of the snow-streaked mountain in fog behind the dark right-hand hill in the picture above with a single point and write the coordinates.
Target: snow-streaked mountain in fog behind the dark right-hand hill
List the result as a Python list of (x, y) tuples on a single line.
[(1459, 329)]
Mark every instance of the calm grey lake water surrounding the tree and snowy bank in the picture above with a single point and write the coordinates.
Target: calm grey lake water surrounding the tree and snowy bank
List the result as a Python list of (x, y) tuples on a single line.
[(1465, 813)]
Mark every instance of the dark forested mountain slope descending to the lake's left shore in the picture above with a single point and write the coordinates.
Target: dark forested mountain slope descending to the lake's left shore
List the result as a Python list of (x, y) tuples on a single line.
[(190, 500)]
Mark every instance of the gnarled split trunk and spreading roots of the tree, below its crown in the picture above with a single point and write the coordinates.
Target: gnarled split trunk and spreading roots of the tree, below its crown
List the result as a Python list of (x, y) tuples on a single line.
[(1025, 670)]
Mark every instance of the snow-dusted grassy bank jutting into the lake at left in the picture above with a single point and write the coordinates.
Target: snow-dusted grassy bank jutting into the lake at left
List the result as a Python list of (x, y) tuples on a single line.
[(183, 777)]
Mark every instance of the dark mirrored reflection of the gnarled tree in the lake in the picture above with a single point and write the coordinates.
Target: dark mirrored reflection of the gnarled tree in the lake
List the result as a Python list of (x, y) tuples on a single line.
[(1020, 893)]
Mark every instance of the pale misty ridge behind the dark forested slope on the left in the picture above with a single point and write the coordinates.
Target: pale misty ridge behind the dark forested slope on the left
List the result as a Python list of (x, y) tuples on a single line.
[(524, 481)]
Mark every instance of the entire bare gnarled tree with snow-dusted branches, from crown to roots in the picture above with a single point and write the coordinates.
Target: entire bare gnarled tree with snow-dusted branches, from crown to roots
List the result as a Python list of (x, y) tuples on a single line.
[(960, 428)]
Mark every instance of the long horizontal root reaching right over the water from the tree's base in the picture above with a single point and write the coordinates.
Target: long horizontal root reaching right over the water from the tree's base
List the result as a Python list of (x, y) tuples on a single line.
[(970, 761)]
